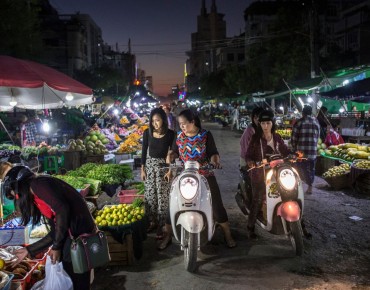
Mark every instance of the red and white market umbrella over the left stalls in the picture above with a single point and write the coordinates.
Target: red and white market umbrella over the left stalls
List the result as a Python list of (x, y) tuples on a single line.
[(35, 86)]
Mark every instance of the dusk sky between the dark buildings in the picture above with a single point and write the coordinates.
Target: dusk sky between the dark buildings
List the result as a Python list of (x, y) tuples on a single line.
[(160, 30)]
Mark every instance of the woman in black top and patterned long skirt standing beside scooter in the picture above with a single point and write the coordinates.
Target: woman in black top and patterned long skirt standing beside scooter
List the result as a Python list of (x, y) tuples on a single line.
[(157, 140)]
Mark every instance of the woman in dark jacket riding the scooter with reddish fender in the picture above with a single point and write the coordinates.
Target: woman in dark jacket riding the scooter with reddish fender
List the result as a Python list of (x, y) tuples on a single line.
[(264, 141)]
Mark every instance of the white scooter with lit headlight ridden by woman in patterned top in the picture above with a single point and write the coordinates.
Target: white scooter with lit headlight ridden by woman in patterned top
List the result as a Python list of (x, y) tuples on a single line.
[(191, 212)]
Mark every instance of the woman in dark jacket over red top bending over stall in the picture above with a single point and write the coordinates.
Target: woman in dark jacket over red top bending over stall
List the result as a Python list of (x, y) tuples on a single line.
[(60, 206)]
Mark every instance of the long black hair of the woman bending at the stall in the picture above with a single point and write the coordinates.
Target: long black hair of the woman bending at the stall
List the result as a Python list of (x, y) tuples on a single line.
[(26, 204)]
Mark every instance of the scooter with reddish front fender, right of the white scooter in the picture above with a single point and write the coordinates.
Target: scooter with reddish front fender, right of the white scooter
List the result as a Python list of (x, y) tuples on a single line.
[(282, 208)]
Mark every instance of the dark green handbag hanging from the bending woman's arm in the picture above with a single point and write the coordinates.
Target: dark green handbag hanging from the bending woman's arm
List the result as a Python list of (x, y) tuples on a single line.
[(89, 251)]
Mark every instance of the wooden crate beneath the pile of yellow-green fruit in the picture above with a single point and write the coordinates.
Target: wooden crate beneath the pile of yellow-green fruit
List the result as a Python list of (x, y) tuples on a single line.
[(120, 254)]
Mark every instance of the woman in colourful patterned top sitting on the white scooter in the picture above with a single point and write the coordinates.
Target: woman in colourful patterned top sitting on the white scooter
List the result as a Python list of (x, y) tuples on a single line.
[(197, 144)]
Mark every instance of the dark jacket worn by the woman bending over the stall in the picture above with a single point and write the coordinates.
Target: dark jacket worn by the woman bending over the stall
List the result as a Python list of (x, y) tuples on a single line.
[(69, 212)]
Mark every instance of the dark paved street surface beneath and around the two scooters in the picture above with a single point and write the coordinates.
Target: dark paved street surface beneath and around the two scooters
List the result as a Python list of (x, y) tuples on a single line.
[(337, 257)]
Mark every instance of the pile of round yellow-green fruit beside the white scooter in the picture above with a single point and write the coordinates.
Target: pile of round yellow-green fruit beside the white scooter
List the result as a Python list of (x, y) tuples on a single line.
[(117, 215)]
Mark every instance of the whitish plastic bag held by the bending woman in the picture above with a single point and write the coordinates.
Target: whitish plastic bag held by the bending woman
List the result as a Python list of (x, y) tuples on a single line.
[(56, 278)]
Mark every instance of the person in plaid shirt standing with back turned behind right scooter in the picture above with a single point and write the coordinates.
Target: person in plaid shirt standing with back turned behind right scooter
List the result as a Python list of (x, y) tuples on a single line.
[(305, 135)]
